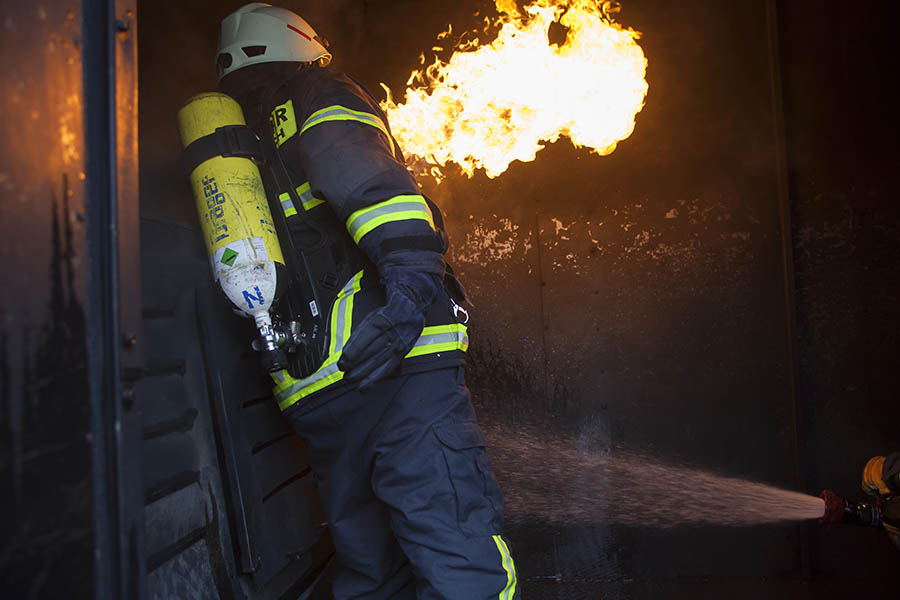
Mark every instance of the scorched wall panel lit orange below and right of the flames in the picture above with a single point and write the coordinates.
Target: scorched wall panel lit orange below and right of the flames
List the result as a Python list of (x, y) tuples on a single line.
[(660, 292)]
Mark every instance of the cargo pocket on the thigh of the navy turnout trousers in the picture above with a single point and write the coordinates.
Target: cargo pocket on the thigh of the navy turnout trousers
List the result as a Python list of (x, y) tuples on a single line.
[(479, 507)]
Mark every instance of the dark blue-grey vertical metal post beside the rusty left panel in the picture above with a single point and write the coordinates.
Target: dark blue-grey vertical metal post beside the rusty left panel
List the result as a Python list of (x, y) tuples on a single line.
[(98, 76)]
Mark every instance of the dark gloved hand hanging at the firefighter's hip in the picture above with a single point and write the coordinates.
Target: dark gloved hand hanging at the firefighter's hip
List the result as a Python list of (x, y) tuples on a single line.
[(378, 345)]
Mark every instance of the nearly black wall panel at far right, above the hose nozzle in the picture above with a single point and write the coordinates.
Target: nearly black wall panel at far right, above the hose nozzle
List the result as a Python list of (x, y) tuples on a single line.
[(841, 105)]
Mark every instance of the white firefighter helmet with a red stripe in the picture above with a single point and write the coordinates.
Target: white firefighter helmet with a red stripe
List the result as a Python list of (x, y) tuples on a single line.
[(261, 33)]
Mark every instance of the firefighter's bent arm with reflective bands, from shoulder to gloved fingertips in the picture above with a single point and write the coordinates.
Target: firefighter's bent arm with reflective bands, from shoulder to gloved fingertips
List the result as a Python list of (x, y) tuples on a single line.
[(351, 161)]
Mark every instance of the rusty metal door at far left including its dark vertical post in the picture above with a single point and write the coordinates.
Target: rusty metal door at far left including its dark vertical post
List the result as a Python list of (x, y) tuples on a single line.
[(70, 518)]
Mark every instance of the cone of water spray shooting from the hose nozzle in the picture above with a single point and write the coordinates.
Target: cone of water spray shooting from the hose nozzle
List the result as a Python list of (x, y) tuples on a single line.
[(563, 481)]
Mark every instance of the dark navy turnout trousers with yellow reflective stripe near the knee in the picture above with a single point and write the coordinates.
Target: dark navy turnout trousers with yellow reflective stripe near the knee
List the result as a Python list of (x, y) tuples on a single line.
[(413, 505)]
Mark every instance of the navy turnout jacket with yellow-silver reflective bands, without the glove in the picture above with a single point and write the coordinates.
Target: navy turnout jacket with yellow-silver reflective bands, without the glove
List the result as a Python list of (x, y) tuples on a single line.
[(351, 182)]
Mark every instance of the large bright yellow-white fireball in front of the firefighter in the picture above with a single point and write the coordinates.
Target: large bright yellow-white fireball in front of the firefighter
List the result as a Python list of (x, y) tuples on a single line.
[(491, 104)]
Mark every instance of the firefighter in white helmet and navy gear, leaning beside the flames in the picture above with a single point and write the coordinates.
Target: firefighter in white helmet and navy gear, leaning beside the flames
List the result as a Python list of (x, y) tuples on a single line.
[(413, 505)]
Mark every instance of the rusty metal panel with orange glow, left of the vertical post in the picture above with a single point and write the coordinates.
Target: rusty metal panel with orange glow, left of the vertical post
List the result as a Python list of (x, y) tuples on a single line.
[(46, 547)]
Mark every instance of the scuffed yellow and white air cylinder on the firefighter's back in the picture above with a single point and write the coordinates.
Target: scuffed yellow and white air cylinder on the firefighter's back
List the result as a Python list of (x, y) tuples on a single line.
[(234, 214)]
